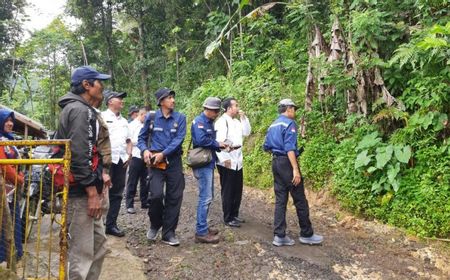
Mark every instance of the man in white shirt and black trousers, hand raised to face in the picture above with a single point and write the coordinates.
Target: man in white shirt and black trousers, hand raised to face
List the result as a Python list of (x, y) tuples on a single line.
[(232, 131)]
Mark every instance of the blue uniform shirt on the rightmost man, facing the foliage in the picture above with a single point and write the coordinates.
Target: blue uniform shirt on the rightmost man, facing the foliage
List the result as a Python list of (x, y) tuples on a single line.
[(281, 137)]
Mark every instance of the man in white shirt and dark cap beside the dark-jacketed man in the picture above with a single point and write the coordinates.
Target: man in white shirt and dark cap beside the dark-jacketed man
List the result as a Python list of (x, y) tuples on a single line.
[(120, 155)]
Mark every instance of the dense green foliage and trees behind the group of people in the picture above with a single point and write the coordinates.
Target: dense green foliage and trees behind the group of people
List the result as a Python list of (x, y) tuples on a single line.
[(375, 124)]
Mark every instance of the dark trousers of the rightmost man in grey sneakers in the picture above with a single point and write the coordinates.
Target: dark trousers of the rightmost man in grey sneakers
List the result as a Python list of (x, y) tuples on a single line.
[(282, 174)]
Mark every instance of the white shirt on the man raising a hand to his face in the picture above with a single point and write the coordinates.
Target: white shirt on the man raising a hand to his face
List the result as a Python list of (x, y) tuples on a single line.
[(233, 130)]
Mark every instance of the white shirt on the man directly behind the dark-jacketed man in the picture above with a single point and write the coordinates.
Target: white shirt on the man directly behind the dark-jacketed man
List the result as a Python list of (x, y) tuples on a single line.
[(118, 135)]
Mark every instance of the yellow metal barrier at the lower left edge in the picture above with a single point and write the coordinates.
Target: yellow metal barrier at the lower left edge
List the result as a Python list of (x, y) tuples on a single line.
[(14, 197)]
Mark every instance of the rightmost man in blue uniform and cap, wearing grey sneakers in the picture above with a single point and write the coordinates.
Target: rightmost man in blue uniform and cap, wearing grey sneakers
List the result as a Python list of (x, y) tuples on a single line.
[(281, 141)]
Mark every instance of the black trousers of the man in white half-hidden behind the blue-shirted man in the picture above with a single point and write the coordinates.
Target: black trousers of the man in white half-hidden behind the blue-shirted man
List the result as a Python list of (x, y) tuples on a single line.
[(137, 172)]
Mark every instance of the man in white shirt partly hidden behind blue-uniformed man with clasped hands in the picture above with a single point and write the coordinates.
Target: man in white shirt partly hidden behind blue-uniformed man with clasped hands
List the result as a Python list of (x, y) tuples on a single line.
[(137, 170)]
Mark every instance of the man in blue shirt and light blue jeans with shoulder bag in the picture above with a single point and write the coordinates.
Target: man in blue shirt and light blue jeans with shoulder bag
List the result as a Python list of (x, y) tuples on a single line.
[(203, 135)]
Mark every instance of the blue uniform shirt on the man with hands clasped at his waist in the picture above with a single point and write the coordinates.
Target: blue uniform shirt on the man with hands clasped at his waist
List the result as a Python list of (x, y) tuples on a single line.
[(167, 135)]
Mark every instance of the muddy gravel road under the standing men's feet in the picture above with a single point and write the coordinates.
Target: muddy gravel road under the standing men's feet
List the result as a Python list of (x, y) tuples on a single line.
[(353, 248)]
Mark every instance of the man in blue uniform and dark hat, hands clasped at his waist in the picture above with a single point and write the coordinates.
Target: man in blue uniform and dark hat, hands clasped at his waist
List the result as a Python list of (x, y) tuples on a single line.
[(166, 130)]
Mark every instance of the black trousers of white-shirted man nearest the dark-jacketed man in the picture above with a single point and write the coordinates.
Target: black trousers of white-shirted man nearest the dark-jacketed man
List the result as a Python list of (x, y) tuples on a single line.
[(117, 173)]
